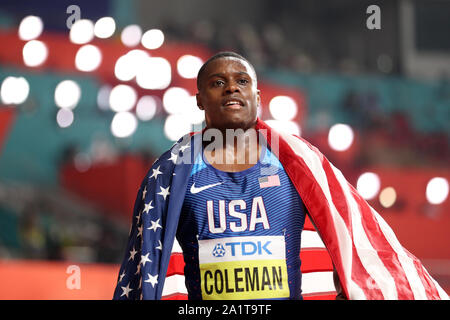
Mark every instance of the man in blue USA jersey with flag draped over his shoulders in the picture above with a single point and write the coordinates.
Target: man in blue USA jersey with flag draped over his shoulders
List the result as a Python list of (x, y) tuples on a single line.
[(237, 206)]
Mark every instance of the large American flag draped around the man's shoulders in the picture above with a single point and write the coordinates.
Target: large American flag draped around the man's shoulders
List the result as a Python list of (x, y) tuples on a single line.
[(344, 233)]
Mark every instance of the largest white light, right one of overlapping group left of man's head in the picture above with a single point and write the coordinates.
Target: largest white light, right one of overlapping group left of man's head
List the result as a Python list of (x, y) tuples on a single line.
[(155, 73)]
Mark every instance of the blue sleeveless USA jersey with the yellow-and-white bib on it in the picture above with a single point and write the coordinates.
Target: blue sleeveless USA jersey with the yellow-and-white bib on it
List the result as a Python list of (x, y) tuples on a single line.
[(240, 232)]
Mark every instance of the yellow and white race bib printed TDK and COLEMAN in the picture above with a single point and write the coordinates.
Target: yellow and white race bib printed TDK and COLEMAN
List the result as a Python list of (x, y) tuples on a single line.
[(243, 268)]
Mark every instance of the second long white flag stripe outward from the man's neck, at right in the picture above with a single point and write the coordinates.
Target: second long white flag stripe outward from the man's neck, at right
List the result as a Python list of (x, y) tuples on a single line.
[(368, 255)]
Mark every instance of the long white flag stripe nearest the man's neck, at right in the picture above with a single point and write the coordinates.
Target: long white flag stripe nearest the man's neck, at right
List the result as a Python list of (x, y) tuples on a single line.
[(314, 164)]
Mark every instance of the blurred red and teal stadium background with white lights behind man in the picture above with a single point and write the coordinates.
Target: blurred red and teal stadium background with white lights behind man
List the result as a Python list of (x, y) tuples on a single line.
[(84, 112)]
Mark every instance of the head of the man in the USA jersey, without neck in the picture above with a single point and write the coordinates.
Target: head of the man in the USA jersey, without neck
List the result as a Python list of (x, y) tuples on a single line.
[(228, 94)]
